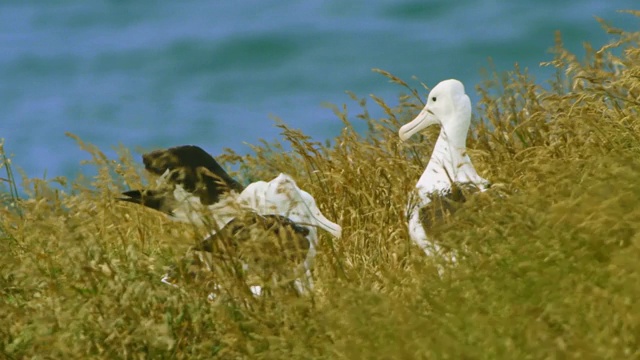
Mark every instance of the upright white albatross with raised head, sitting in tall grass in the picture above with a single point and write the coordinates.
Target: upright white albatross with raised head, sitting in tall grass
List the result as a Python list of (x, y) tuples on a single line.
[(449, 175)]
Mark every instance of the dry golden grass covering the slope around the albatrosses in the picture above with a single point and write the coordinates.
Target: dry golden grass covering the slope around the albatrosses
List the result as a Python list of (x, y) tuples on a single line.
[(549, 271)]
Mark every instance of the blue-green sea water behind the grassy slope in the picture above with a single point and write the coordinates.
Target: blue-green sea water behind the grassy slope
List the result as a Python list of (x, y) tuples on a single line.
[(149, 74)]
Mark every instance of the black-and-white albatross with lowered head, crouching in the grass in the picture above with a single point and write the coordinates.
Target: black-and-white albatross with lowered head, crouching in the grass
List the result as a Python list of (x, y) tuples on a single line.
[(274, 217)]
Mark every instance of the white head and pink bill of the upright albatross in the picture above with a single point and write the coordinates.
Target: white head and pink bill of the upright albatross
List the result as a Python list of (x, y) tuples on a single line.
[(448, 106)]
